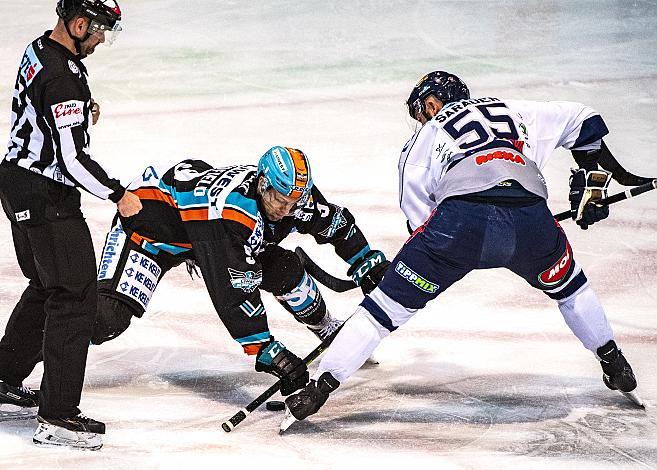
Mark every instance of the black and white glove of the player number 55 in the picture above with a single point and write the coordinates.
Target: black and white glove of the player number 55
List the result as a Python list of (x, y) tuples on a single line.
[(586, 187)]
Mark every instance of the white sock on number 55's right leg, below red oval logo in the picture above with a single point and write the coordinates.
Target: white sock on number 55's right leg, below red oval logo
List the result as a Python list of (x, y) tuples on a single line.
[(586, 318)]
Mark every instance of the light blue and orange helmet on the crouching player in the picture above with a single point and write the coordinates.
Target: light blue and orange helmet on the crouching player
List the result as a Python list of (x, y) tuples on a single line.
[(287, 170)]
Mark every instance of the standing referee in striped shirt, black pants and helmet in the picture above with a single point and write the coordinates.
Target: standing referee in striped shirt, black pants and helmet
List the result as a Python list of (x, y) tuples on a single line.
[(47, 159)]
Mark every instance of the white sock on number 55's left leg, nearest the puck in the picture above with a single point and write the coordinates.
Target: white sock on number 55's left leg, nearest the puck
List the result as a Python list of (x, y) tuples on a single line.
[(358, 338)]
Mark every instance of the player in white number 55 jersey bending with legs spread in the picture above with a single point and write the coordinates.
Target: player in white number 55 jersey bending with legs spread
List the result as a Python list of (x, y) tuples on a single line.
[(472, 190)]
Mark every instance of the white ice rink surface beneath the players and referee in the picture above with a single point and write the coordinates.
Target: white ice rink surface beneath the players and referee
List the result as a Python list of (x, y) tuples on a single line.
[(489, 376)]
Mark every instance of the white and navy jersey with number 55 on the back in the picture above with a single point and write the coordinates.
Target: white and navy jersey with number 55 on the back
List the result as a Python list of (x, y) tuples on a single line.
[(473, 145)]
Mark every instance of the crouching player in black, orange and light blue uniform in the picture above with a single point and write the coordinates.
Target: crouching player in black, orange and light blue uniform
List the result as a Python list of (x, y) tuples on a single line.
[(228, 222)]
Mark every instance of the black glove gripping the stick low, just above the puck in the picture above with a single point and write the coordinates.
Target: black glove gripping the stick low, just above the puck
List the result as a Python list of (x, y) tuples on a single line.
[(274, 358)]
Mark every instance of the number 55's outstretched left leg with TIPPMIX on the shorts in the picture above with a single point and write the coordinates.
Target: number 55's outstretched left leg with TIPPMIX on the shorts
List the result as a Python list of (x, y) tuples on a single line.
[(416, 276)]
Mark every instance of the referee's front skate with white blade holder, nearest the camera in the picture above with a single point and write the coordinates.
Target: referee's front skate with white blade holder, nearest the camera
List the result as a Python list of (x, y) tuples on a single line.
[(78, 432)]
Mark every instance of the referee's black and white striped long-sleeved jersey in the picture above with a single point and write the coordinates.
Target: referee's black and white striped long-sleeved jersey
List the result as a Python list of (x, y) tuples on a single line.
[(51, 120)]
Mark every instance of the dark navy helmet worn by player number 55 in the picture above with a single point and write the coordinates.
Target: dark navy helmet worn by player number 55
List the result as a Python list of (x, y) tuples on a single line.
[(443, 85)]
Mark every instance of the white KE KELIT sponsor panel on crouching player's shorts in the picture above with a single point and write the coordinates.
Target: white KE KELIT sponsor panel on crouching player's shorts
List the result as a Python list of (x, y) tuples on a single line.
[(139, 278)]
